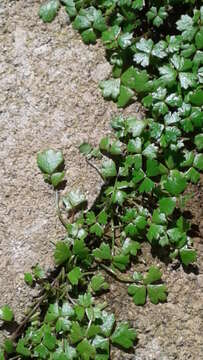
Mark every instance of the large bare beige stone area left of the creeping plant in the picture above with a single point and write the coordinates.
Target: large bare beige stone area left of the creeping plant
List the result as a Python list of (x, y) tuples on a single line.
[(49, 99)]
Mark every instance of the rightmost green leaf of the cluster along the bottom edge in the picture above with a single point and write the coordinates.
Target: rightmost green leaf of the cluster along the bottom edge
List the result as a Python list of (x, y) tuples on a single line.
[(123, 336)]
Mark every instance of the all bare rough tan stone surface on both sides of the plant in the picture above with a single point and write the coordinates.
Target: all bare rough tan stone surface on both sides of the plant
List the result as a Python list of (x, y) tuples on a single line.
[(50, 99)]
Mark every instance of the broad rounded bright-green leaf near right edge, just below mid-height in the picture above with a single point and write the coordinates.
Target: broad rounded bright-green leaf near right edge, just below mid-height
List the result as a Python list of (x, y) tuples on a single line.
[(176, 183)]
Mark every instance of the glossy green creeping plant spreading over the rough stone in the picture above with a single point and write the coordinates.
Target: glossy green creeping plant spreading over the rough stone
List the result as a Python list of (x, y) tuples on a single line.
[(156, 51)]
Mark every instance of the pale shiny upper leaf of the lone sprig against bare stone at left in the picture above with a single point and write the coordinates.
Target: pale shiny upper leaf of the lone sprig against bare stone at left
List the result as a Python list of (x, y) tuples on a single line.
[(49, 161)]
